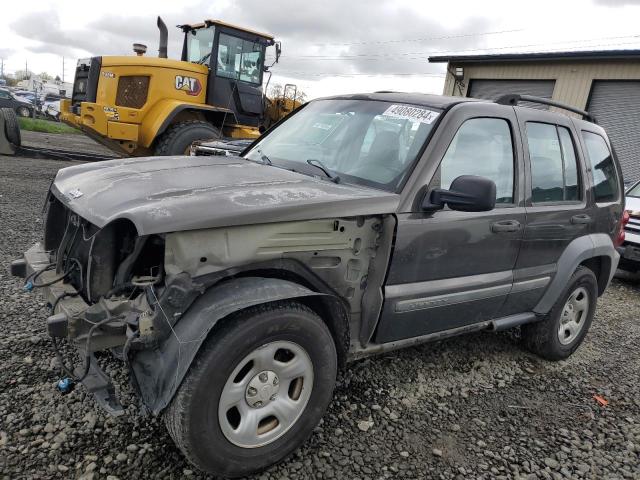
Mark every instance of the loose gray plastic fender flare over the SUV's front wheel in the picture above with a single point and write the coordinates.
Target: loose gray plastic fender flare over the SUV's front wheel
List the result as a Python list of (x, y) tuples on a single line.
[(160, 371)]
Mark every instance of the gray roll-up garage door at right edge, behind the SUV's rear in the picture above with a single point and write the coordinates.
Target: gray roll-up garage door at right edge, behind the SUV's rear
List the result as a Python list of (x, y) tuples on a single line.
[(616, 106)]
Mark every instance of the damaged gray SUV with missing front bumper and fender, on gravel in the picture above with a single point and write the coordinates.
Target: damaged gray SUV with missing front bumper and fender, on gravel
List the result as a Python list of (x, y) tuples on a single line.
[(235, 287)]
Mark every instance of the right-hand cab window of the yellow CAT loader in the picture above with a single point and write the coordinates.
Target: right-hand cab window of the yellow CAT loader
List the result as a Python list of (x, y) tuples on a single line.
[(240, 59)]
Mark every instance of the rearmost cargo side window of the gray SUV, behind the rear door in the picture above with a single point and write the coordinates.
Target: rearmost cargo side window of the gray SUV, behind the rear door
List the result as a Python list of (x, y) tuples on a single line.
[(603, 171)]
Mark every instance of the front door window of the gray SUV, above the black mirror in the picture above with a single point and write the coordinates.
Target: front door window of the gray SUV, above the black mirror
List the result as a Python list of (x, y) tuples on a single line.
[(482, 147)]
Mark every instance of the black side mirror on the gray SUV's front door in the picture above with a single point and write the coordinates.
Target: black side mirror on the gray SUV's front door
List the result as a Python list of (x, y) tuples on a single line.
[(467, 193)]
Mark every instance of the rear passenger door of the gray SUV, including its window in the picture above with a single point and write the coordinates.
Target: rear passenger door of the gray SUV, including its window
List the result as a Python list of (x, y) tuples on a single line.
[(557, 204)]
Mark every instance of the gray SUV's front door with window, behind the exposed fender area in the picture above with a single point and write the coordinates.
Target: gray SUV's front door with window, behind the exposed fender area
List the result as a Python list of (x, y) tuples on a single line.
[(452, 269)]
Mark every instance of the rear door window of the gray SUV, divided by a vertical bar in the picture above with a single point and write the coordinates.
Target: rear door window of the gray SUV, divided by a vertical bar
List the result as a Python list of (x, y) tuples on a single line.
[(554, 172)]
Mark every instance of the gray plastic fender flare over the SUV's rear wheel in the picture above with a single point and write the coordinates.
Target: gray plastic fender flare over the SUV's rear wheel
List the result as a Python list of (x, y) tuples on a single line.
[(579, 250)]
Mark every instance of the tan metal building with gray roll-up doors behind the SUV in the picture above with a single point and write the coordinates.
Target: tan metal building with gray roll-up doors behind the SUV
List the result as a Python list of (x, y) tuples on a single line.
[(606, 83)]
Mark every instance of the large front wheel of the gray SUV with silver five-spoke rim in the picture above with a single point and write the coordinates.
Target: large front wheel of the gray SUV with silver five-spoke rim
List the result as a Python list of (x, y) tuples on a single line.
[(209, 435)]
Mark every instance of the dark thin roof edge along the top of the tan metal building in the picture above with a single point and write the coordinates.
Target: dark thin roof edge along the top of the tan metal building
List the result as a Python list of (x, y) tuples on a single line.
[(547, 56)]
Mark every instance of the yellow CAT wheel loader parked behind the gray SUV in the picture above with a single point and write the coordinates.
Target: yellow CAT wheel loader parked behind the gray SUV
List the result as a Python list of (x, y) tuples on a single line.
[(140, 105)]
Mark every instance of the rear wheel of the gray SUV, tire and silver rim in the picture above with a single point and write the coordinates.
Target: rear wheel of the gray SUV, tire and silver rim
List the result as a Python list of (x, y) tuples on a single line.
[(546, 338)]
